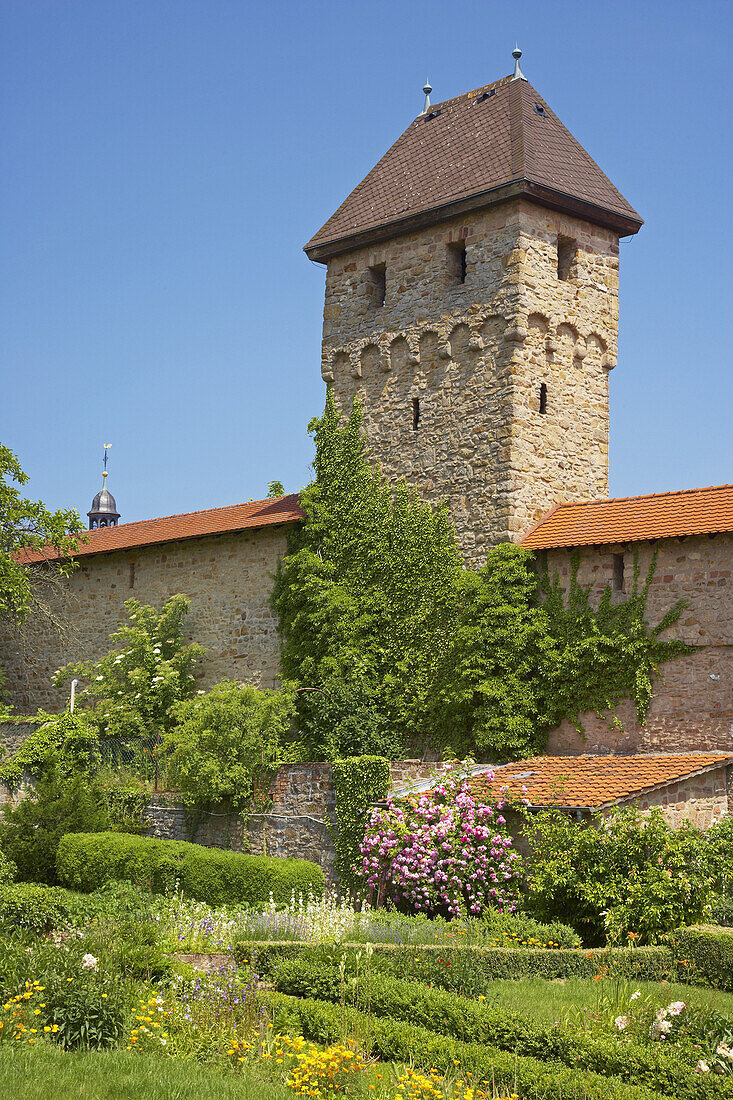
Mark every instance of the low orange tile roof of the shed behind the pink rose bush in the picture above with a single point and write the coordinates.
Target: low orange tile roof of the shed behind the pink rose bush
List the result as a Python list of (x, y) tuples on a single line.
[(596, 782)]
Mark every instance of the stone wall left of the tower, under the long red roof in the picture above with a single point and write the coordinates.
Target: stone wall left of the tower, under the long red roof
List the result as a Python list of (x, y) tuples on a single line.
[(228, 578)]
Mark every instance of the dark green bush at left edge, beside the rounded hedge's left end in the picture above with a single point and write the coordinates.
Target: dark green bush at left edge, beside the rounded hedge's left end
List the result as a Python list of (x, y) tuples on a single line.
[(60, 805)]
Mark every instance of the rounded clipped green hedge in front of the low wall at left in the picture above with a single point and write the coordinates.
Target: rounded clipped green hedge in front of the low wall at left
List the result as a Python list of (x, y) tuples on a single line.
[(87, 861)]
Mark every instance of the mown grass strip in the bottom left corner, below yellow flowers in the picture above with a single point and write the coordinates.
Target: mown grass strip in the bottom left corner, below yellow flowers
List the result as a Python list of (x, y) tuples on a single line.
[(46, 1073)]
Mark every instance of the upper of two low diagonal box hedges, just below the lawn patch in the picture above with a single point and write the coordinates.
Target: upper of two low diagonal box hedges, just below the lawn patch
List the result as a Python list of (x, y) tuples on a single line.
[(471, 1021)]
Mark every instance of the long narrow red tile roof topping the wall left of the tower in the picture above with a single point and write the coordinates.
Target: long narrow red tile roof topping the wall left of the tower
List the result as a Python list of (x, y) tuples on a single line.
[(190, 525)]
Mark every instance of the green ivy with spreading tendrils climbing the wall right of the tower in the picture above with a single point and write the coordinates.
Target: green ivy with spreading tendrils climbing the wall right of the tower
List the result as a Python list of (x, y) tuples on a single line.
[(604, 654)]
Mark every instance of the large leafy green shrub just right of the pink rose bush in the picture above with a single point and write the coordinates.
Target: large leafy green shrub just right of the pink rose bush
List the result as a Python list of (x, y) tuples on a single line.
[(625, 875)]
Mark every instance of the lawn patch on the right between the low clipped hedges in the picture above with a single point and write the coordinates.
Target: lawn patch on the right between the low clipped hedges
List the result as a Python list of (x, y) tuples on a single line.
[(549, 1002)]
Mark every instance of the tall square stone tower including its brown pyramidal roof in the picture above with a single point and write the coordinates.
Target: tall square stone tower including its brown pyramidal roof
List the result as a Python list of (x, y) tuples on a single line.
[(473, 303)]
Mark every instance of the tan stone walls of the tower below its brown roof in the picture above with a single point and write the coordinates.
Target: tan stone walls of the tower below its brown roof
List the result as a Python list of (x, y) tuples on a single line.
[(475, 355)]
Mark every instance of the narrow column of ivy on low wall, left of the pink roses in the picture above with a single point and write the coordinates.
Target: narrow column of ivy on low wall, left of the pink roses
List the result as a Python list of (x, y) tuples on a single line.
[(359, 782)]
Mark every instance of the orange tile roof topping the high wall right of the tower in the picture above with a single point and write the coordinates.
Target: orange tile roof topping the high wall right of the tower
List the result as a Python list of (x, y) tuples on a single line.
[(633, 519)]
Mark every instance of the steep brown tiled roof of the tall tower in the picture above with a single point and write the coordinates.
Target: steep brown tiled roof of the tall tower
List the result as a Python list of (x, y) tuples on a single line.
[(485, 147)]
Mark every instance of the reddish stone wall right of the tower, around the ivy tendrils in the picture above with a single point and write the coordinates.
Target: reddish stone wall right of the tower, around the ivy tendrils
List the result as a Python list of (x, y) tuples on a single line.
[(693, 705)]
